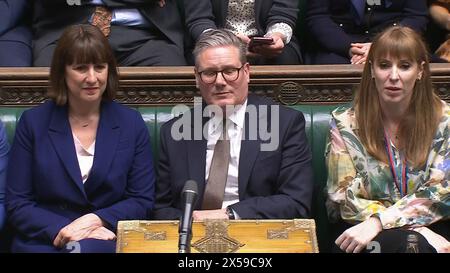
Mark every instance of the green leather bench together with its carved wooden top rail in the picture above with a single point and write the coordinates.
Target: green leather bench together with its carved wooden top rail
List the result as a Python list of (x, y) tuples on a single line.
[(314, 90)]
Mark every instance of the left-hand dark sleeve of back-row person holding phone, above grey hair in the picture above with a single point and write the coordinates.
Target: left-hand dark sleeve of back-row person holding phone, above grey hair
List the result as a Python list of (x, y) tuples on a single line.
[(199, 17)]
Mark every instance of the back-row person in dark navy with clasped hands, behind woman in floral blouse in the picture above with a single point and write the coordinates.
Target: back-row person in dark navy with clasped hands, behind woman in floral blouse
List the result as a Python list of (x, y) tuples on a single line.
[(342, 30)]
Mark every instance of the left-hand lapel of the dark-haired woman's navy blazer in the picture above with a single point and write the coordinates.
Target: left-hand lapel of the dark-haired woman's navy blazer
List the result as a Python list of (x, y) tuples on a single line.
[(61, 136)]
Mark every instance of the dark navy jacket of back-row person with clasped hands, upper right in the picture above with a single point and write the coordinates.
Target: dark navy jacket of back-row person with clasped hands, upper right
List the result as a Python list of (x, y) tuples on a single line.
[(333, 26)]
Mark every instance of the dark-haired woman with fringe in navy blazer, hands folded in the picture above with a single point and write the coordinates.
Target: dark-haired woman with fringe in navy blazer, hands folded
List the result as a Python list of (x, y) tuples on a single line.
[(83, 162)]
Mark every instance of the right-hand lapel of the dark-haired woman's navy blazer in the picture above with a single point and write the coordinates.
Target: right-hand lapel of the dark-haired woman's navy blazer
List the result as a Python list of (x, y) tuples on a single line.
[(106, 141)]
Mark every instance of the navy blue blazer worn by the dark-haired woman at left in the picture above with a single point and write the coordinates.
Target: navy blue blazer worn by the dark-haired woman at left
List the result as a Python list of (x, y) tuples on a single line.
[(44, 187)]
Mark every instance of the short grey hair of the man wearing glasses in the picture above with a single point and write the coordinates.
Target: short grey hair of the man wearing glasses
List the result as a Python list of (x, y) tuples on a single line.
[(219, 37)]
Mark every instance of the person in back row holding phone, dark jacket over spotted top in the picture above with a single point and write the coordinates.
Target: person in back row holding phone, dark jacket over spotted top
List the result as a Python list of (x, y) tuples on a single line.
[(273, 18)]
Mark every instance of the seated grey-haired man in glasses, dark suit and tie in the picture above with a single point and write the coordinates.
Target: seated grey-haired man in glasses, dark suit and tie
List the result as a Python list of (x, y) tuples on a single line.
[(268, 171)]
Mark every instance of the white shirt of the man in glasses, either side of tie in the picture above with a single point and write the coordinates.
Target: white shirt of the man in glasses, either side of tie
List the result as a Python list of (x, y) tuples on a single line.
[(235, 130)]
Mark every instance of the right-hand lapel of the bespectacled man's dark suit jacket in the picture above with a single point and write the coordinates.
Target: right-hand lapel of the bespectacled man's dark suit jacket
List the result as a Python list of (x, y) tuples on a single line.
[(249, 151)]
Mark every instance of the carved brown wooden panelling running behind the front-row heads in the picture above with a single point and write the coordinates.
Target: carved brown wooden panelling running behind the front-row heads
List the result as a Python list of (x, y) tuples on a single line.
[(290, 85)]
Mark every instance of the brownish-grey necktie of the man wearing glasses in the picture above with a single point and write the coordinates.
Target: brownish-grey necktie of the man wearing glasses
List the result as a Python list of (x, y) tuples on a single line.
[(218, 172)]
